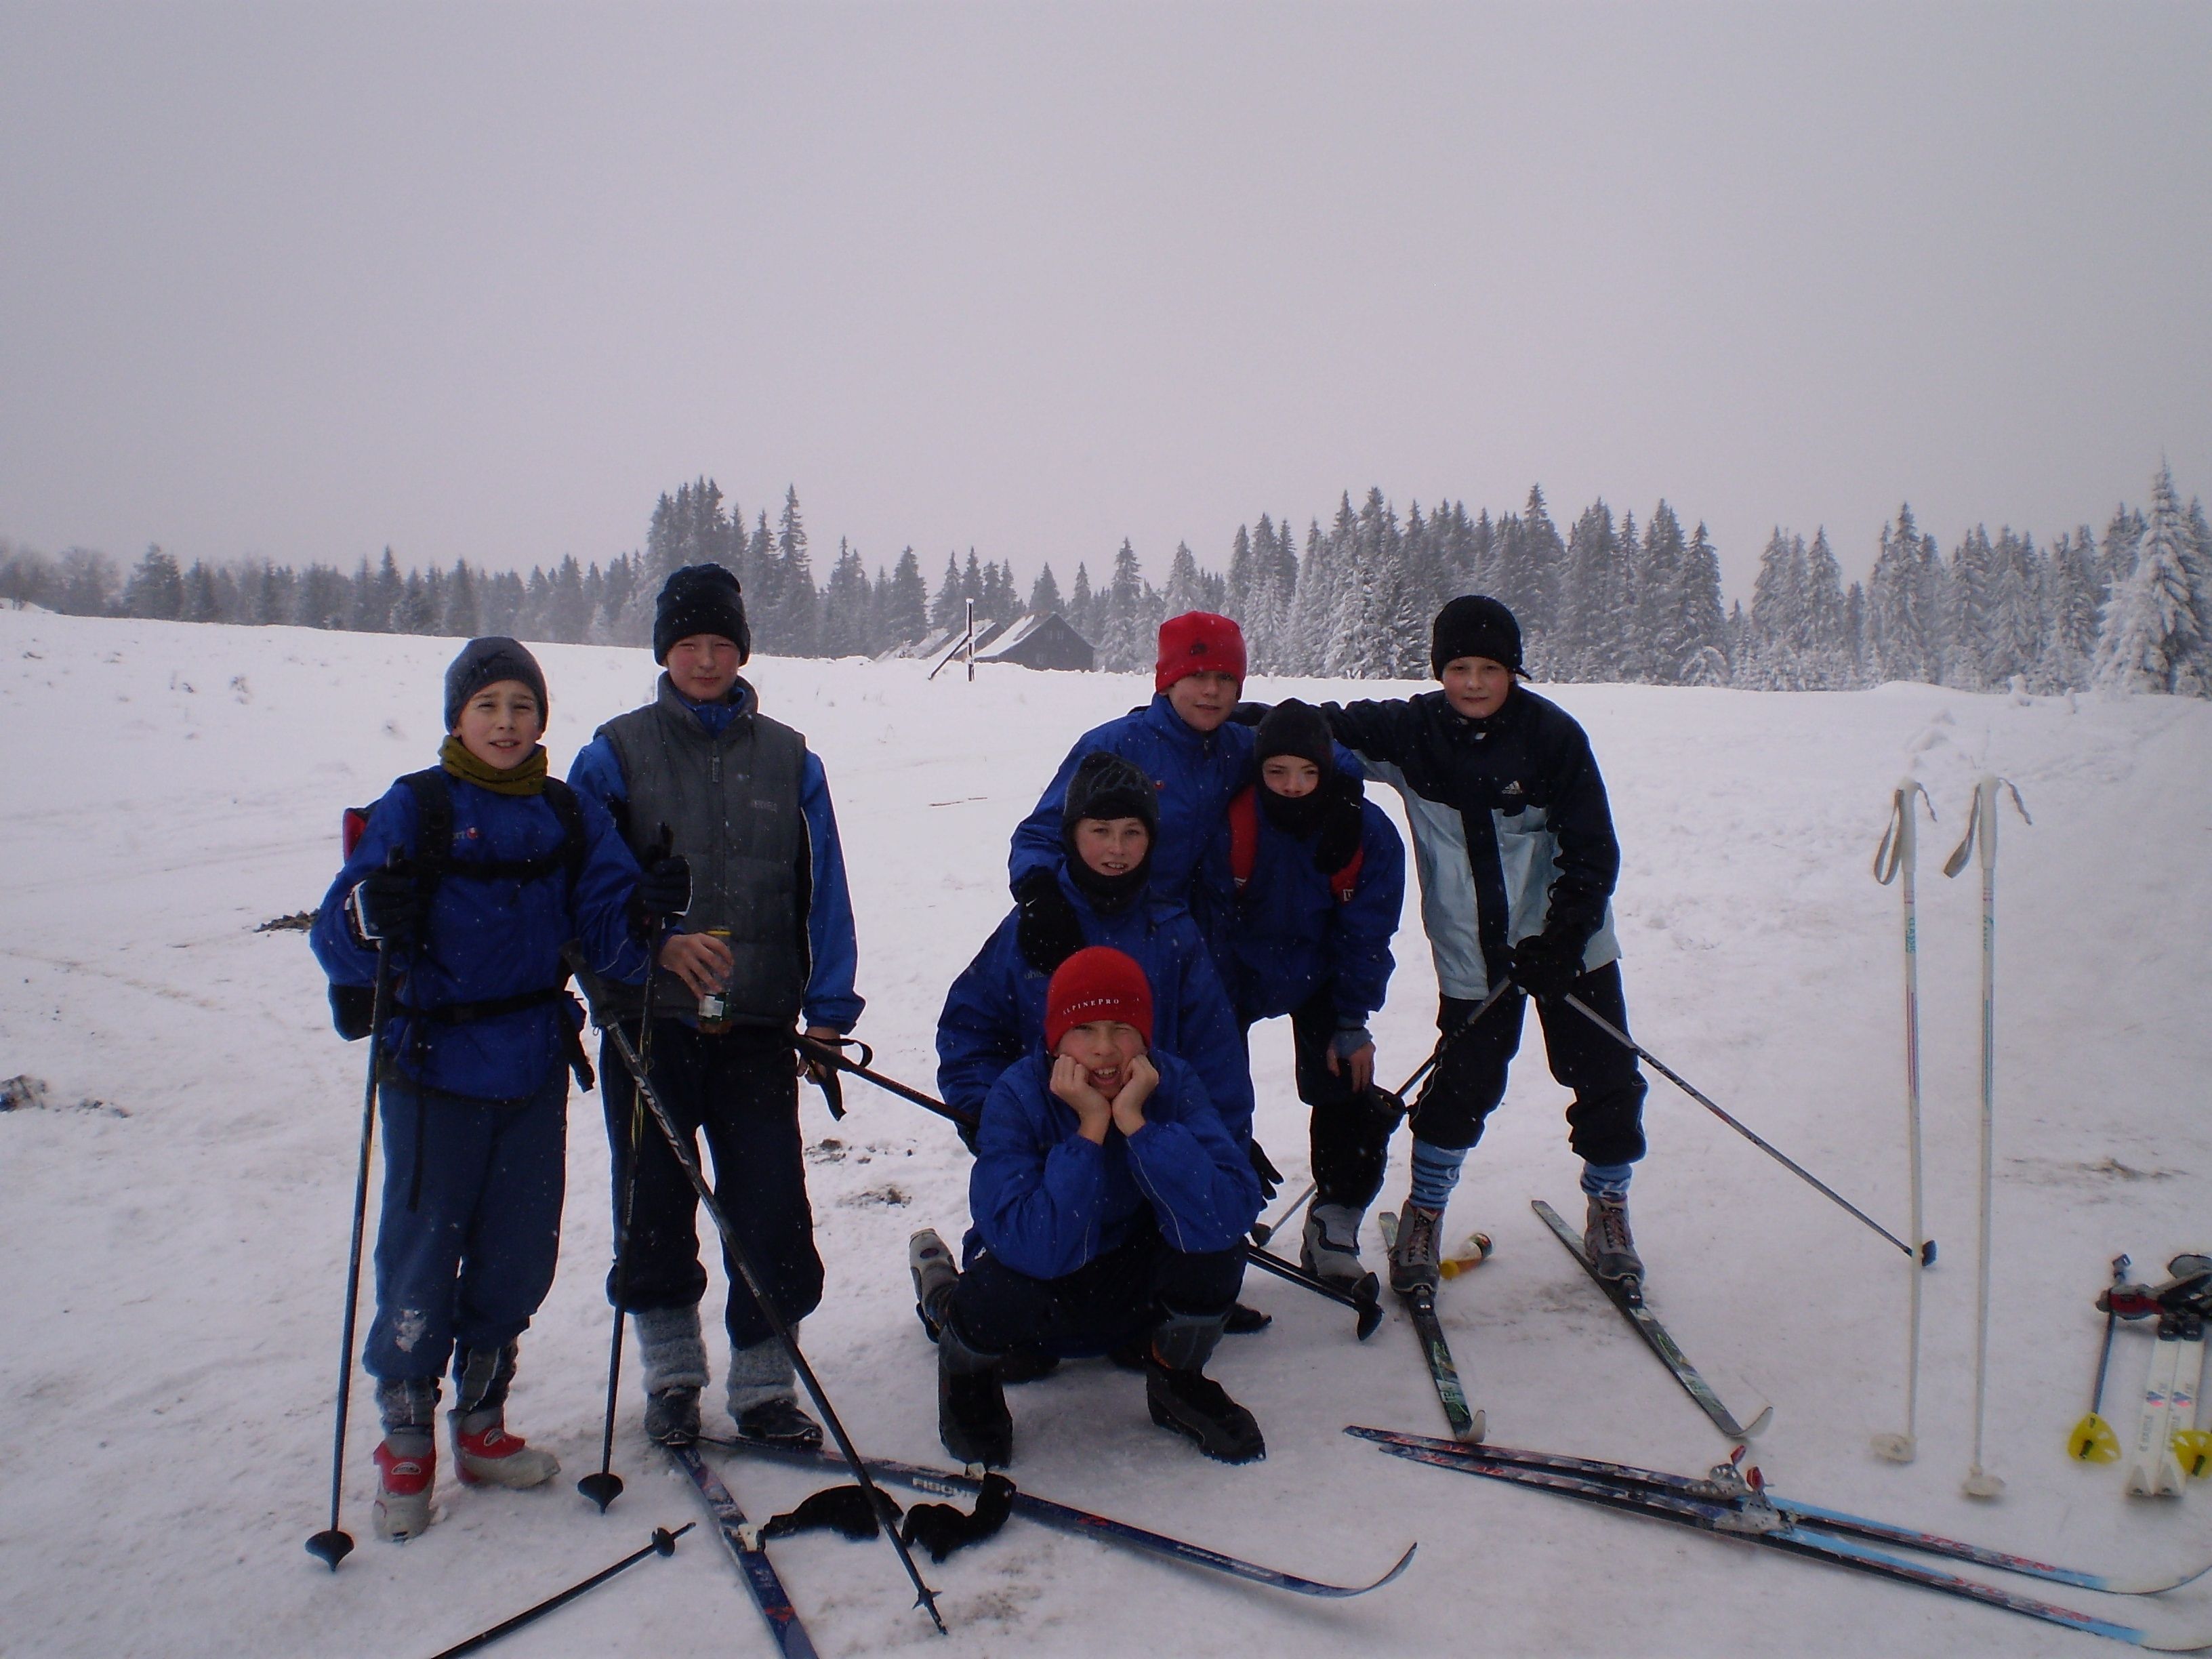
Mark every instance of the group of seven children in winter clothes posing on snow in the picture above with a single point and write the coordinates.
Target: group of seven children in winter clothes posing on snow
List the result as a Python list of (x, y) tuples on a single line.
[(1193, 868)]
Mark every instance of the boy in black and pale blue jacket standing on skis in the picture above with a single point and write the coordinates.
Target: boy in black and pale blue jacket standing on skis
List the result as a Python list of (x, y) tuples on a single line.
[(1516, 873)]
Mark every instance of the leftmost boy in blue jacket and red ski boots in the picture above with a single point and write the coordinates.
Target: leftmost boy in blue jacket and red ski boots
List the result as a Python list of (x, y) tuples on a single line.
[(499, 868)]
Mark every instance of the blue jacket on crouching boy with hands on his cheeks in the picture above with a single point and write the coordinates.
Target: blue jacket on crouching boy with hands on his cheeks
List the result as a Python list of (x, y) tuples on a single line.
[(1047, 1202)]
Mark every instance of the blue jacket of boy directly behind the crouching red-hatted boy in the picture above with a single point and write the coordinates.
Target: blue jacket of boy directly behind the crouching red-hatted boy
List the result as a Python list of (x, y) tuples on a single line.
[(997, 1010)]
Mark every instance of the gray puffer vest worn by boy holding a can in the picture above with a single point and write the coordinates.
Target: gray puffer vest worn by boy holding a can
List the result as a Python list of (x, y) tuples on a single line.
[(733, 806)]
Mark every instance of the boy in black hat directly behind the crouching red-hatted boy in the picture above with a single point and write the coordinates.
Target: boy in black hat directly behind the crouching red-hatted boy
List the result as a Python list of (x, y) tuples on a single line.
[(1109, 890)]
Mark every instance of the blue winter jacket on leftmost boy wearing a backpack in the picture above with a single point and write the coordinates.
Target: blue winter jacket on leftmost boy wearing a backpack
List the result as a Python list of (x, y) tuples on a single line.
[(490, 939)]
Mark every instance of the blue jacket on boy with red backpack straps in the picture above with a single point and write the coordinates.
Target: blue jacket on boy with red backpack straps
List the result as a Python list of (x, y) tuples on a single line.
[(1293, 935)]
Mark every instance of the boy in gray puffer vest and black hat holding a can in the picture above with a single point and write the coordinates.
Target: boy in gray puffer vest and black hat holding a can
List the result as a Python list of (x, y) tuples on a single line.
[(766, 941)]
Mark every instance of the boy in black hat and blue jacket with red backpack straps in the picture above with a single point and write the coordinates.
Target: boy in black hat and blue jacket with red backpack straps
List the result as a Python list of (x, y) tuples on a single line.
[(1319, 888)]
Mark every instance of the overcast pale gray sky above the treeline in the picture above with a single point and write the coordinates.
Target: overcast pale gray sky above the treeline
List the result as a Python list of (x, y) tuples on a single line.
[(306, 280)]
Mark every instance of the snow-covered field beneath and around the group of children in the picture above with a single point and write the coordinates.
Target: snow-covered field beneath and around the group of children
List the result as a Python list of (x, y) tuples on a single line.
[(176, 1251)]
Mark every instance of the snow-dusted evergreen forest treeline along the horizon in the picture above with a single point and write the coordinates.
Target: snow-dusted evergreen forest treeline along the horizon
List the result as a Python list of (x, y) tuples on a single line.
[(1607, 601)]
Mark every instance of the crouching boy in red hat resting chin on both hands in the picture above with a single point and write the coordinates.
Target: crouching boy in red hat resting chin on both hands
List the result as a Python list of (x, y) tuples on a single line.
[(1109, 1209)]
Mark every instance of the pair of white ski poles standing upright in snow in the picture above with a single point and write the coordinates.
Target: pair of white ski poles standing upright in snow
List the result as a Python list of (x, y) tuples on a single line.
[(1895, 862)]
